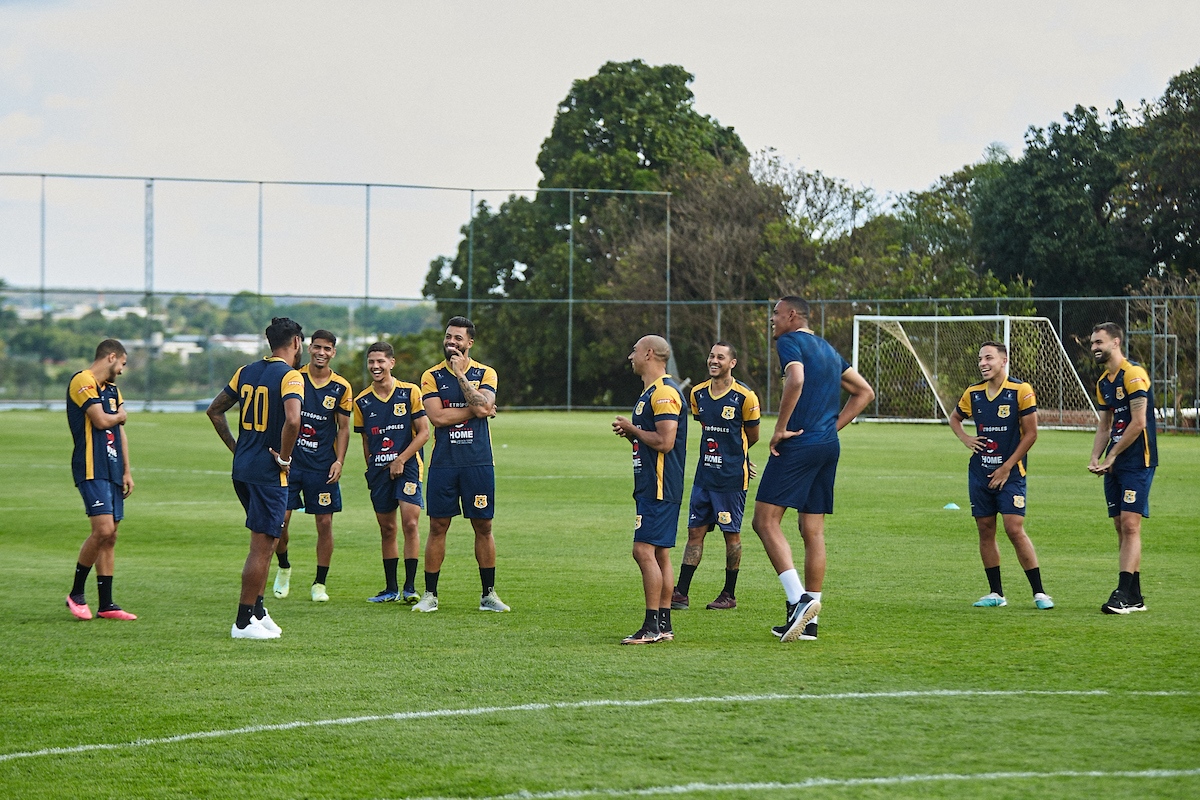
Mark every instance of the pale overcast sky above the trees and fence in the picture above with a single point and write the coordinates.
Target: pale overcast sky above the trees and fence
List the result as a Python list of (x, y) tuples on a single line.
[(887, 95)]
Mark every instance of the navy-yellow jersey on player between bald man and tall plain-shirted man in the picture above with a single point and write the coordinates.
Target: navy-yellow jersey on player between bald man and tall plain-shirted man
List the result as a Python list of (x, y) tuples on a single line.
[(724, 419)]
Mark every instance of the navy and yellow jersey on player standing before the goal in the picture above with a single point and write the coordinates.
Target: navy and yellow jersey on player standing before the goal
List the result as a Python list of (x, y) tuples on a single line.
[(998, 418)]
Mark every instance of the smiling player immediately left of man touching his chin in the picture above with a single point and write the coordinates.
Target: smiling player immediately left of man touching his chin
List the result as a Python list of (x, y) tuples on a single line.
[(392, 419)]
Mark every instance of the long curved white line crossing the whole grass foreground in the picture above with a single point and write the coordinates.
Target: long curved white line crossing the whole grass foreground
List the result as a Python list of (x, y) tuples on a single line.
[(579, 705)]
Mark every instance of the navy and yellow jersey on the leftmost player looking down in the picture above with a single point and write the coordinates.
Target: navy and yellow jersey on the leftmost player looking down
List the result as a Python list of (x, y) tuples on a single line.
[(98, 454)]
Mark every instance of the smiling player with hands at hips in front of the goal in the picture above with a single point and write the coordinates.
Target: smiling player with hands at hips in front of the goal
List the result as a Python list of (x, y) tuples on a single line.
[(1006, 416)]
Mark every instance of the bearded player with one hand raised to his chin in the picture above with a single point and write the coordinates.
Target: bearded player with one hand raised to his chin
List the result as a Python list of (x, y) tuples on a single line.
[(460, 398)]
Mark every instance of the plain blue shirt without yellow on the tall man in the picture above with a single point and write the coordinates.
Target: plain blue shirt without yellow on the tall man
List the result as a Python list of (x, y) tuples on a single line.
[(817, 411)]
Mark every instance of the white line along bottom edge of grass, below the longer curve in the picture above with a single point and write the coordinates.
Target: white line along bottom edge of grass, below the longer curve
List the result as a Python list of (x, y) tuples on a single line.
[(823, 783)]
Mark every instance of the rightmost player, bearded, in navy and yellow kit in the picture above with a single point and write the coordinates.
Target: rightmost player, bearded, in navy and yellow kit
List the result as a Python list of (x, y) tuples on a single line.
[(1126, 438)]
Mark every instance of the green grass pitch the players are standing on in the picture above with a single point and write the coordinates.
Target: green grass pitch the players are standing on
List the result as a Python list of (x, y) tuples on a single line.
[(910, 691)]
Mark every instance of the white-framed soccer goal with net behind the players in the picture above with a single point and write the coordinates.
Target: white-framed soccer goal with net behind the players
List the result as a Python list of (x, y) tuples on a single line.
[(921, 365)]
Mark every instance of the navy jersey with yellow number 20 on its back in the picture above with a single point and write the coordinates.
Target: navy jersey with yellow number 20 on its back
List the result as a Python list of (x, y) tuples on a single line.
[(261, 389)]
